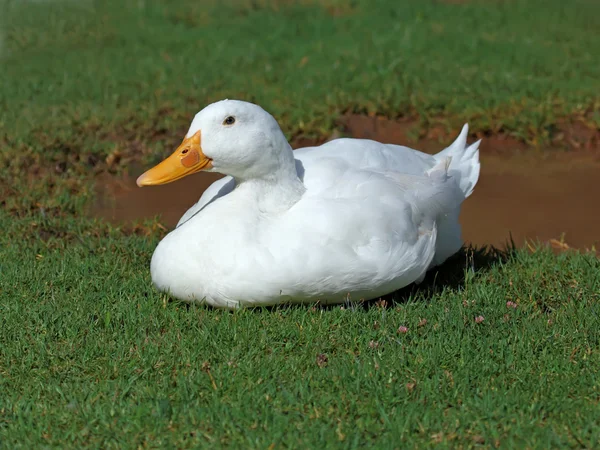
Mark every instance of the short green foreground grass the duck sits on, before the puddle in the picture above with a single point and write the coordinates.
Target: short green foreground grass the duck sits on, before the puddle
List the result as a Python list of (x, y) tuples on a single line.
[(92, 356)]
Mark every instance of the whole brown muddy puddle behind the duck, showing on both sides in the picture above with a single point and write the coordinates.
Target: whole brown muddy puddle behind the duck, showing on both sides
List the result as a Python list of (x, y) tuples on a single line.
[(537, 195)]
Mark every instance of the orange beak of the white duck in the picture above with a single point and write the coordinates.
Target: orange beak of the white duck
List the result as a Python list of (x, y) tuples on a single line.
[(187, 159)]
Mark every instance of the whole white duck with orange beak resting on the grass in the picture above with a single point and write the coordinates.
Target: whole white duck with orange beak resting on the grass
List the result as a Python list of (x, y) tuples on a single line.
[(350, 219)]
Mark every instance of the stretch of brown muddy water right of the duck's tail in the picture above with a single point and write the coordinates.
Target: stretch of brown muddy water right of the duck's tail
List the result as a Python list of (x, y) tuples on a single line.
[(534, 200)]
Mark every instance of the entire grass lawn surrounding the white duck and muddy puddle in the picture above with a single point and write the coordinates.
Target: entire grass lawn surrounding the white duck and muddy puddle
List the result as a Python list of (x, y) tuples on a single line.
[(92, 356)]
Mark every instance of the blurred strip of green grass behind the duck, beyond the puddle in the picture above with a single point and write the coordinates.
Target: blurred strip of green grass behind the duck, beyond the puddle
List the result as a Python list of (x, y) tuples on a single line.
[(485, 62)]
